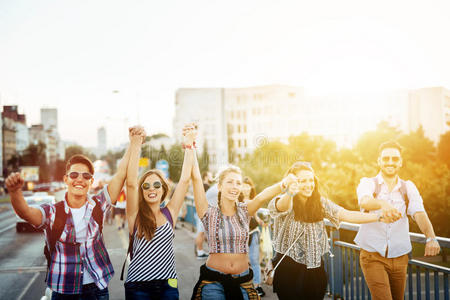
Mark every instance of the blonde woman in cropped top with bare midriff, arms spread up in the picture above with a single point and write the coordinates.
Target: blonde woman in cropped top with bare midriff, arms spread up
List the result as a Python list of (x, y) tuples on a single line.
[(226, 274)]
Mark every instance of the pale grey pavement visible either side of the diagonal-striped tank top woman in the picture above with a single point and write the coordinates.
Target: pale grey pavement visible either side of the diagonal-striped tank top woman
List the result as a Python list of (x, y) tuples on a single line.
[(187, 264)]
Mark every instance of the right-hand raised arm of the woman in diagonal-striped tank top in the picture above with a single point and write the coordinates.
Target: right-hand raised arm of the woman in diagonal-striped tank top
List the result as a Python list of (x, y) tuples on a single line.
[(177, 200)]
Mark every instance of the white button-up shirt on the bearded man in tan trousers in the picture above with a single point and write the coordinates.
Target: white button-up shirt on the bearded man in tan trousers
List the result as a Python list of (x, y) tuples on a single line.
[(377, 236)]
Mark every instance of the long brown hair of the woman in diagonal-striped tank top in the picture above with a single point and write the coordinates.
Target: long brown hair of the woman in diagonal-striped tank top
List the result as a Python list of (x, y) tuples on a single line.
[(145, 219)]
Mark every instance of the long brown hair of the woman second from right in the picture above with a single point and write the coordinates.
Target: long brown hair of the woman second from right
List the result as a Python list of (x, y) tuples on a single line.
[(312, 211)]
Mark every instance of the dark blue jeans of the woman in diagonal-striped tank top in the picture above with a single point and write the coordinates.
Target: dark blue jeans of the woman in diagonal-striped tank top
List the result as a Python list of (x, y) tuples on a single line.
[(154, 289)]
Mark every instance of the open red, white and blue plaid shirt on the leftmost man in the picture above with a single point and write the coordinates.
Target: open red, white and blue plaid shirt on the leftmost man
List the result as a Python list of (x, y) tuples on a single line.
[(71, 259)]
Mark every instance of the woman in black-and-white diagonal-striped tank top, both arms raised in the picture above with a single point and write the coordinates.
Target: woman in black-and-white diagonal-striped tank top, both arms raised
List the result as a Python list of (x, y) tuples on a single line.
[(152, 273)]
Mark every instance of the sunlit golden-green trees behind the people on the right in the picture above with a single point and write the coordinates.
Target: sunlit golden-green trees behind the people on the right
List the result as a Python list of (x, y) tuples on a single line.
[(340, 171)]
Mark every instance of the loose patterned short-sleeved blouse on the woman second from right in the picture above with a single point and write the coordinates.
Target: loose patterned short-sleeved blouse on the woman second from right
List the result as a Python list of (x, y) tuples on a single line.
[(313, 241)]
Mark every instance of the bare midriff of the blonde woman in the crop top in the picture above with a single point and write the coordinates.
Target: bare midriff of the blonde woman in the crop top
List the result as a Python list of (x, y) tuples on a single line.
[(228, 263)]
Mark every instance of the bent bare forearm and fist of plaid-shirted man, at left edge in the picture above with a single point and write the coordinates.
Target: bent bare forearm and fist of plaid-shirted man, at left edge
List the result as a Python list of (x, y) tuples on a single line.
[(14, 184)]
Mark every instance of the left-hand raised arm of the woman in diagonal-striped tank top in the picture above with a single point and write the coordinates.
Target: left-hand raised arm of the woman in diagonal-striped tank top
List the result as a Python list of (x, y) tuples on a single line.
[(136, 138)]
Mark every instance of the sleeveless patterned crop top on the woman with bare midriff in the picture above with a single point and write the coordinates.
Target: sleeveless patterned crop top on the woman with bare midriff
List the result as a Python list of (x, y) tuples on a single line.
[(227, 234)]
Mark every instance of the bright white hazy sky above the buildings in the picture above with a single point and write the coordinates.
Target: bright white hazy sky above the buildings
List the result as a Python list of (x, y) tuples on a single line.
[(118, 63)]
